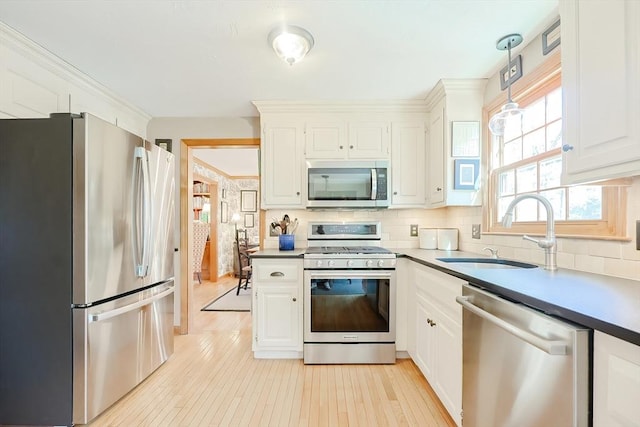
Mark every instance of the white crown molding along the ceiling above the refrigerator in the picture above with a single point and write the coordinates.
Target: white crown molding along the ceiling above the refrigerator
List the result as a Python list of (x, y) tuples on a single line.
[(26, 47)]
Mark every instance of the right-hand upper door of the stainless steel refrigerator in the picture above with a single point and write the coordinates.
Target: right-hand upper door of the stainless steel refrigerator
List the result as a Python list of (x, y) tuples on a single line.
[(162, 187)]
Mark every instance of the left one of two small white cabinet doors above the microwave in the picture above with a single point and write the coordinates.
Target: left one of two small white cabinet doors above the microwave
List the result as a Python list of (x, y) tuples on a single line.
[(325, 140)]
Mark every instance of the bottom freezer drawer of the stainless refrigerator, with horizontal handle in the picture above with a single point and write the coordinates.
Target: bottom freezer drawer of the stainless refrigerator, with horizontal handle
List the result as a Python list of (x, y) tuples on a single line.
[(117, 345)]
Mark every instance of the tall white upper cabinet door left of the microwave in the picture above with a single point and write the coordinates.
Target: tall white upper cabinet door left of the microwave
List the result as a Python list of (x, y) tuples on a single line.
[(282, 162)]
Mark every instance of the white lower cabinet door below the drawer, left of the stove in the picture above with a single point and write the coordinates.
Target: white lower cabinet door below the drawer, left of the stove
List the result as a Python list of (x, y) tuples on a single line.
[(278, 321)]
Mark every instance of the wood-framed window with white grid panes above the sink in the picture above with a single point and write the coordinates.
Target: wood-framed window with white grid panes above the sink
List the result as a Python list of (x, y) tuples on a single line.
[(528, 160)]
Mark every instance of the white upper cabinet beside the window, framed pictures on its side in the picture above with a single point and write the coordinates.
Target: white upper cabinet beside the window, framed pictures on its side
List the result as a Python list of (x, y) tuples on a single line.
[(451, 101)]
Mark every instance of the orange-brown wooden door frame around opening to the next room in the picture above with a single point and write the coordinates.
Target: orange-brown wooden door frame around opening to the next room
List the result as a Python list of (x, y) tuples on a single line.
[(187, 308)]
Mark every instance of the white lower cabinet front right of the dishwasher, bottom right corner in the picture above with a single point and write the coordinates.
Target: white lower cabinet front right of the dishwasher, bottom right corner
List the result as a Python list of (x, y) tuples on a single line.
[(616, 382)]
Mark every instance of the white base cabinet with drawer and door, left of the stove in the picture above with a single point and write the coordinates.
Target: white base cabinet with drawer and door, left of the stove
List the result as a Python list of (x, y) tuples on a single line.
[(277, 309)]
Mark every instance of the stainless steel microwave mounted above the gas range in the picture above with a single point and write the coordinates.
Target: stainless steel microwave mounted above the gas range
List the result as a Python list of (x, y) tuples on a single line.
[(348, 184)]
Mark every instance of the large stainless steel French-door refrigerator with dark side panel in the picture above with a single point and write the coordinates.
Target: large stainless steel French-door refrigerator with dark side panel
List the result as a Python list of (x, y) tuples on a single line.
[(86, 266)]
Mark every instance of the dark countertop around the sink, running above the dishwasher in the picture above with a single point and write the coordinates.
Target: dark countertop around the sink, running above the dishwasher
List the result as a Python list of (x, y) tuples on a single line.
[(605, 303)]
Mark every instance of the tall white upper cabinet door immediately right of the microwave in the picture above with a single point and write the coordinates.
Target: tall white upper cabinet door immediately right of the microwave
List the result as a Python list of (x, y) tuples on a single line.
[(407, 164)]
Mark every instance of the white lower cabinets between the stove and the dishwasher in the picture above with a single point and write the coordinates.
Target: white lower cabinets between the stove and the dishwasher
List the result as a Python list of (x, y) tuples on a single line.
[(435, 340)]
